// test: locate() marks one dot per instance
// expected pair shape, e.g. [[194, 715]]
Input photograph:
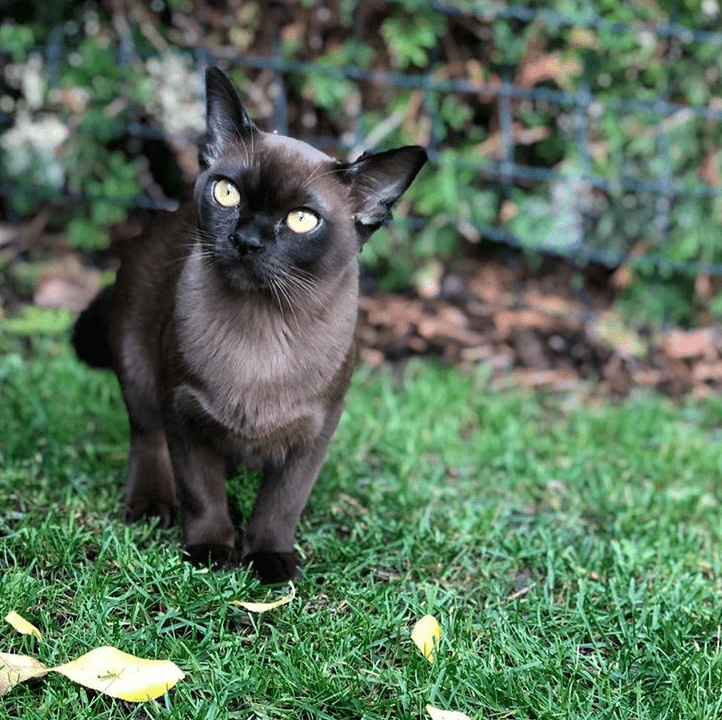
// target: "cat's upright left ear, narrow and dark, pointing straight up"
[[226, 119]]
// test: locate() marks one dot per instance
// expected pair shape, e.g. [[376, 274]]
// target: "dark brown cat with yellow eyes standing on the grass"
[[231, 329]]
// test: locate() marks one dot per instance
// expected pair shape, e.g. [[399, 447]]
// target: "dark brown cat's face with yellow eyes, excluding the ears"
[[274, 214]]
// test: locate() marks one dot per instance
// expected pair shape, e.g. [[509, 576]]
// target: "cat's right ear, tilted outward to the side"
[[377, 181]]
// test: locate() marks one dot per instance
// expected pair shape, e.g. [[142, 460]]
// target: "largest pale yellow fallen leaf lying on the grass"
[[120, 675]]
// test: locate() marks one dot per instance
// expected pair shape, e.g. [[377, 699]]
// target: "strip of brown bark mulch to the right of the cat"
[[535, 331]]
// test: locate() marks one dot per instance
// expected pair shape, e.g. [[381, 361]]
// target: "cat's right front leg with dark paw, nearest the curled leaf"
[[282, 496]]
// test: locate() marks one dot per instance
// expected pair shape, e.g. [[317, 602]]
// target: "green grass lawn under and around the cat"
[[570, 551]]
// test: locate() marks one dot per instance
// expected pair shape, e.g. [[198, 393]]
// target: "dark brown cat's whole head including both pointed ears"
[[275, 213]]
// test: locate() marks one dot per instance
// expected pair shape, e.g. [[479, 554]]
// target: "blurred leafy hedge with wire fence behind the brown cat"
[[589, 131]]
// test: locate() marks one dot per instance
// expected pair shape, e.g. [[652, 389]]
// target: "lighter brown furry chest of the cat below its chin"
[[259, 372]]
